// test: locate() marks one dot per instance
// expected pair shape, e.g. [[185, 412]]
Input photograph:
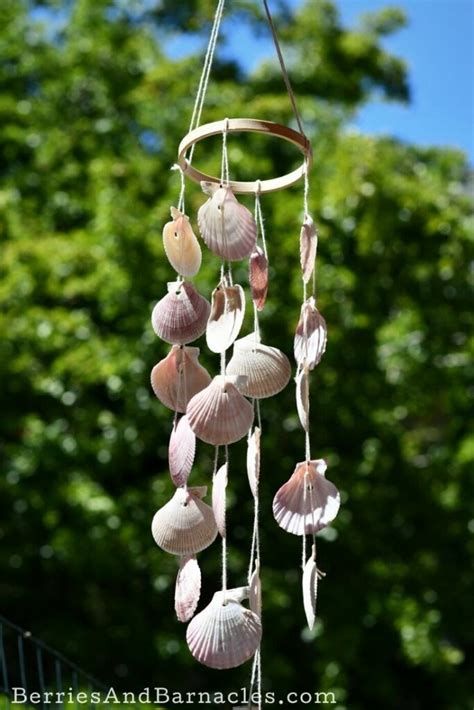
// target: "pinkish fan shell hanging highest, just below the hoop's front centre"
[[227, 227]]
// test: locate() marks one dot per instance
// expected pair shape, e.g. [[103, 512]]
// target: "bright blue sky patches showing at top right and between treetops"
[[438, 46]]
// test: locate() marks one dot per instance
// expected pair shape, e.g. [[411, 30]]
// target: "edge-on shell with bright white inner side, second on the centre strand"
[[226, 318]]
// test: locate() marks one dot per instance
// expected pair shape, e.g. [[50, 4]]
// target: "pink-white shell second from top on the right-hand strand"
[[311, 335]]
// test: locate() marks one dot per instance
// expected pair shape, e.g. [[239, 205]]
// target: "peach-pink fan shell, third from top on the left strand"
[[177, 378]]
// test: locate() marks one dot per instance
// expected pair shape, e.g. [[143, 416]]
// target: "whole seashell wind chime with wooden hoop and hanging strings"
[[226, 408]]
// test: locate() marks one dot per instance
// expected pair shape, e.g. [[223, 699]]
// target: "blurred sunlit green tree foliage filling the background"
[[92, 110]]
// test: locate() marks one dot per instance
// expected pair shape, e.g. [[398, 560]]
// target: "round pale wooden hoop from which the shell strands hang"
[[249, 125]]
